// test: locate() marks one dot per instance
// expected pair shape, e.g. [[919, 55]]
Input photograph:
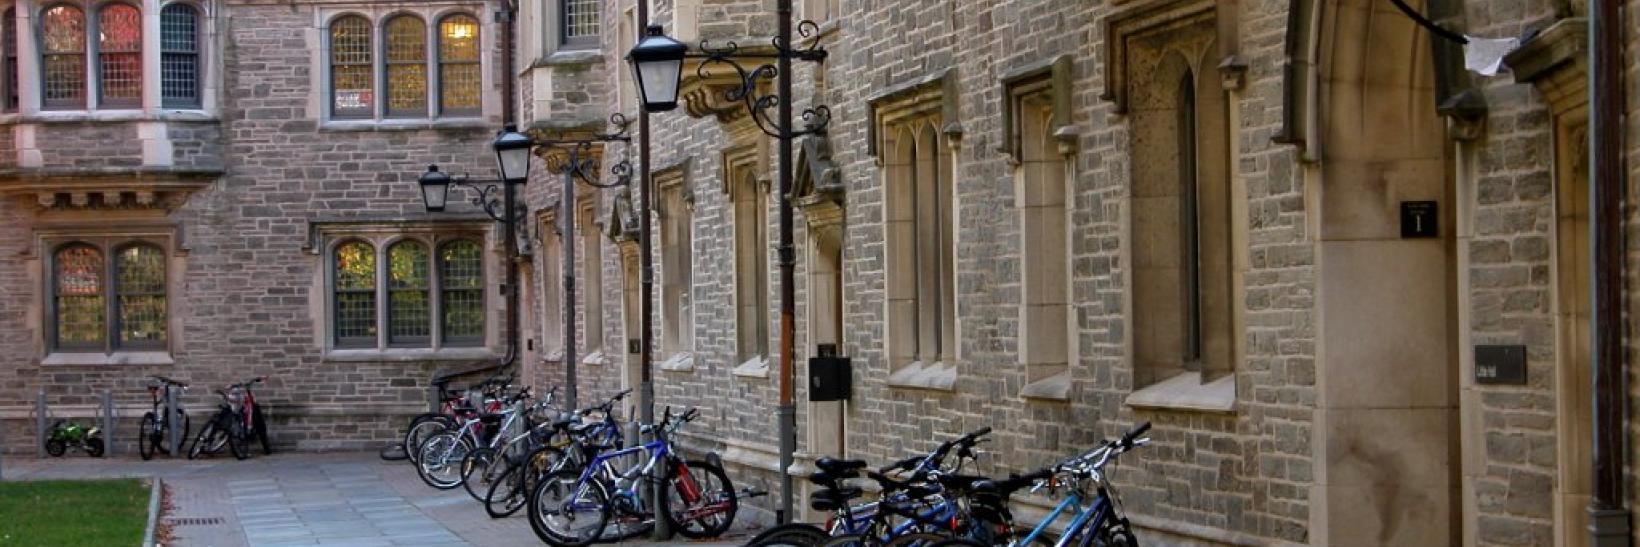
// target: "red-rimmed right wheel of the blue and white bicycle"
[[699, 500]]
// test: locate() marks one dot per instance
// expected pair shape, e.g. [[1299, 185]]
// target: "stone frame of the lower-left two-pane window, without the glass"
[[109, 248]]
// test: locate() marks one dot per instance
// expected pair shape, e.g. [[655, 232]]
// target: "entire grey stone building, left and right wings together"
[[1055, 219]]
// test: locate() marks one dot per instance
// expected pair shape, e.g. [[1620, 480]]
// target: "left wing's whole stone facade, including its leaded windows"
[[196, 227]]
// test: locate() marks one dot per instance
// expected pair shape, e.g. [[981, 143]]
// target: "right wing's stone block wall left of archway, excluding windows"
[[1244, 474]]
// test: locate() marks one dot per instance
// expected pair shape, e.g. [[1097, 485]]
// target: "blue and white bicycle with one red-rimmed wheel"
[[575, 509]]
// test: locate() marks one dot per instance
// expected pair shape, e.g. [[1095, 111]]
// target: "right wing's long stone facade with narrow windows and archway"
[[1059, 219]]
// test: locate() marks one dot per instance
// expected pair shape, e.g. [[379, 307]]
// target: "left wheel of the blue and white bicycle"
[[568, 513]]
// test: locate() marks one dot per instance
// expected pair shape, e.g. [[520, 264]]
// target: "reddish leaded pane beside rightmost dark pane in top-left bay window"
[[121, 55]]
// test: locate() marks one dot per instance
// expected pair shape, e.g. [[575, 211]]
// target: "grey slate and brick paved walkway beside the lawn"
[[350, 499]]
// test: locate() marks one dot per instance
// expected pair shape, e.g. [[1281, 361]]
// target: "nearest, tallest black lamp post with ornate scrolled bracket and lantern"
[[657, 65]]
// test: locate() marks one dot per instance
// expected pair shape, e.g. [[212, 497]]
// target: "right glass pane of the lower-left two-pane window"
[[140, 296]]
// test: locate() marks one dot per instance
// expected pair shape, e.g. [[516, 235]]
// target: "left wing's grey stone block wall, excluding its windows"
[[248, 296]]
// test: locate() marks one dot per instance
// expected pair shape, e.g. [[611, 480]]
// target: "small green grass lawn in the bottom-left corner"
[[73, 513]]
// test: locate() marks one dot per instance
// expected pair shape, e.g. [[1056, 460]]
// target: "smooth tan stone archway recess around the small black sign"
[[1387, 373]]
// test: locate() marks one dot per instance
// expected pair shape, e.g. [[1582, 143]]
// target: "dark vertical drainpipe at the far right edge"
[[1608, 517]]
